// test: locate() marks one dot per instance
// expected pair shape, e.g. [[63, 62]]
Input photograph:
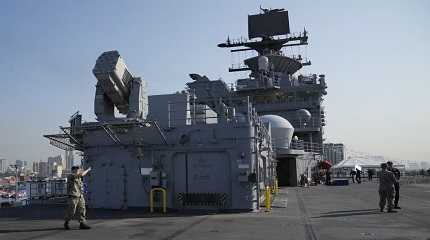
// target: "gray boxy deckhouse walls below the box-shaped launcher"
[[198, 160]]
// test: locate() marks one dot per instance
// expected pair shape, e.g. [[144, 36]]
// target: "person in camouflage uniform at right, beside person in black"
[[386, 188]]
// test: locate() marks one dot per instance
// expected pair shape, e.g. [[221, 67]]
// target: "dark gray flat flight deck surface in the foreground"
[[317, 212]]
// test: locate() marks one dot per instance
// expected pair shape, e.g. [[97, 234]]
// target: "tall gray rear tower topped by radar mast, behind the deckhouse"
[[275, 88]]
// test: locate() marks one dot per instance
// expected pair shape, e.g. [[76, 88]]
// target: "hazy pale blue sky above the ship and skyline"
[[375, 55]]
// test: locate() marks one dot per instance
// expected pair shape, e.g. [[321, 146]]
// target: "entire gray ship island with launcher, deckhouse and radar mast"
[[210, 146]]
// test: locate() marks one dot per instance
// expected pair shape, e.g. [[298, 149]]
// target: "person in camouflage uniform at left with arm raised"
[[76, 201]]
